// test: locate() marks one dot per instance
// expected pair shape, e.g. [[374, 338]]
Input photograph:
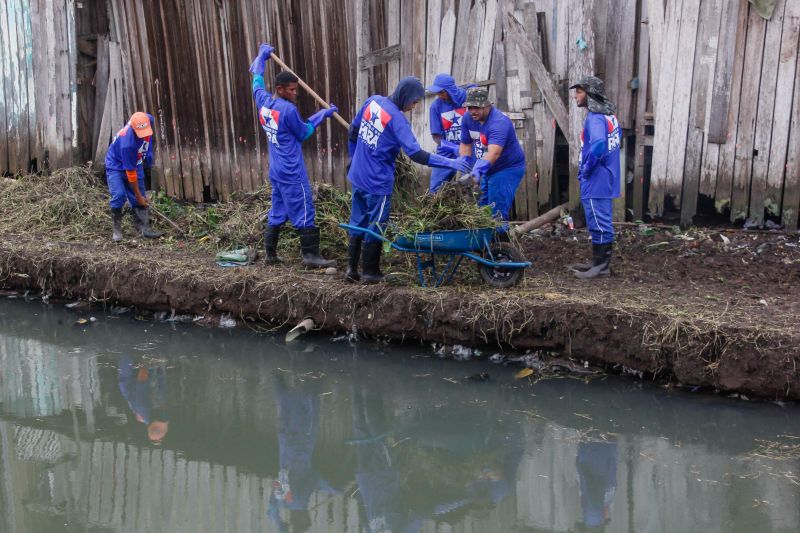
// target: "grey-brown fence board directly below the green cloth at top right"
[[745, 137]]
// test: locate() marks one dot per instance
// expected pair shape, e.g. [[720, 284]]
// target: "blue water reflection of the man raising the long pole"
[[298, 428]]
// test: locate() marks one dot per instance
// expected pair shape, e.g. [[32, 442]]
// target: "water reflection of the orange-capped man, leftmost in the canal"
[[143, 385]]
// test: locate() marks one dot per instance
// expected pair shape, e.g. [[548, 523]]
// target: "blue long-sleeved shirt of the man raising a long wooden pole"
[[285, 130]]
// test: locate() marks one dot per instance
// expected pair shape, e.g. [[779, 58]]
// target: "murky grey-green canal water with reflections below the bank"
[[121, 425]]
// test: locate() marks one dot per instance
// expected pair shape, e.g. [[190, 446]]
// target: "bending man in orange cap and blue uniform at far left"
[[129, 158]]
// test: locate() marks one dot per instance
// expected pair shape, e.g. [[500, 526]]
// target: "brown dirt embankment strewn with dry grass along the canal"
[[689, 308]]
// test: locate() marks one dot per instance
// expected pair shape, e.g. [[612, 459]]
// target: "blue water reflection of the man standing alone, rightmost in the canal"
[[597, 480]]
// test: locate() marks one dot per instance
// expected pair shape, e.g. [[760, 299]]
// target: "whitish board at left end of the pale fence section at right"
[[664, 102]]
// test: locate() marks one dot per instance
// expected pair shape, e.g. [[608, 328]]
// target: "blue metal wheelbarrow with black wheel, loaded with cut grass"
[[500, 264]]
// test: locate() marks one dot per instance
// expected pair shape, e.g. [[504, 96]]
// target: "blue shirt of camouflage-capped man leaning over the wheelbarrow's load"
[[498, 129]]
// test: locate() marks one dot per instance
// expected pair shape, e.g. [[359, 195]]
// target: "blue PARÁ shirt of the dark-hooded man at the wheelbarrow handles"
[[382, 131]]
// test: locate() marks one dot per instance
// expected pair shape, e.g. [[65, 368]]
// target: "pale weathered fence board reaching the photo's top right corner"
[[787, 64]]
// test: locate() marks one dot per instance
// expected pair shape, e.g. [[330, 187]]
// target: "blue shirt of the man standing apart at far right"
[[599, 175]]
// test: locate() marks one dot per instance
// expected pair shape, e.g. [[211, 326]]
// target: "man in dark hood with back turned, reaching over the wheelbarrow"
[[377, 134]]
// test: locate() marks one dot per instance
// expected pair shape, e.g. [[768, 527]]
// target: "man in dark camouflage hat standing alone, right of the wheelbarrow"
[[598, 173]]
